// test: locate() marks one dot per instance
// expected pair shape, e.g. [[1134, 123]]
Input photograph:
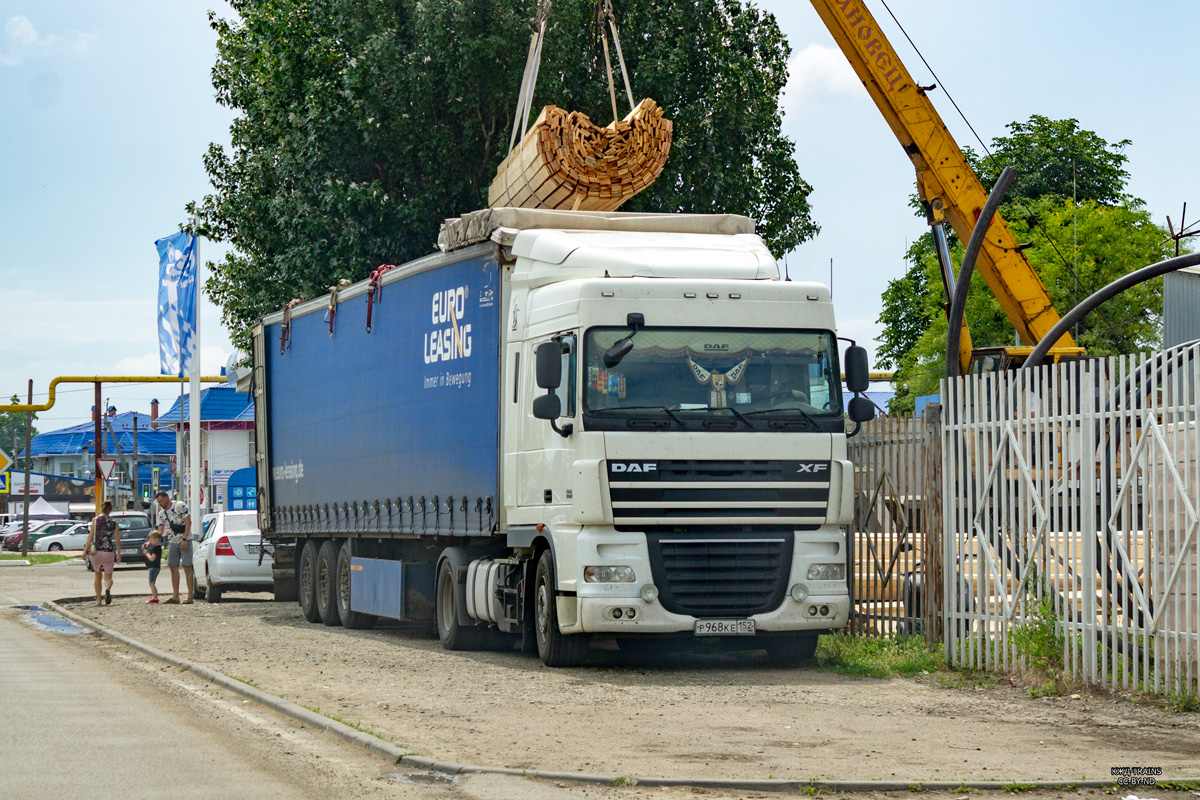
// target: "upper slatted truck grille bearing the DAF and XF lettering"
[[718, 496]]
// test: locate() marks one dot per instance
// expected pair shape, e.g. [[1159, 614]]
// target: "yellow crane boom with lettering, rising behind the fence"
[[945, 181]]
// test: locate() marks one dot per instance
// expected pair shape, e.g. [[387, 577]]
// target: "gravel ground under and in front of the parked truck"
[[685, 715]]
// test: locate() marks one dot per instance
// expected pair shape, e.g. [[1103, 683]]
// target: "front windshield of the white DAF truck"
[[713, 378]]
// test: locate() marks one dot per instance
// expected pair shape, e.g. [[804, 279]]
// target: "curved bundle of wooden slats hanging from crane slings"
[[567, 163]]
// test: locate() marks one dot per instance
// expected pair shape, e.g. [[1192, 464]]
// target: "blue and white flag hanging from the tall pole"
[[178, 304]]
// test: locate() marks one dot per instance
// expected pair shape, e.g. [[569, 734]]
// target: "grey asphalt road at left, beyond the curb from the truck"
[[85, 718]]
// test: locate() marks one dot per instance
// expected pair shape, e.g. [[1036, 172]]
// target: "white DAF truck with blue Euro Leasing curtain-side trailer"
[[565, 425]]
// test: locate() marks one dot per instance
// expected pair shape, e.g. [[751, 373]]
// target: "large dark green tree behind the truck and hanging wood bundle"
[[364, 124]]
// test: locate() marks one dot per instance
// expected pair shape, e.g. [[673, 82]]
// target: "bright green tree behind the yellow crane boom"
[[1055, 161]]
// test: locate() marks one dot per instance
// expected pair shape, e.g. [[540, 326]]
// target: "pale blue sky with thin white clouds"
[[109, 109]]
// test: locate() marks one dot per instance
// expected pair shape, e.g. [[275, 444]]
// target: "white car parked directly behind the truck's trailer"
[[227, 557]]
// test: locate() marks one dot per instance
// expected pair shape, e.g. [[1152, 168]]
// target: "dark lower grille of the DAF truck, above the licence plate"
[[717, 575]]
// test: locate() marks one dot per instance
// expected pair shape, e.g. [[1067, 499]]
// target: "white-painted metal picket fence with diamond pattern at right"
[[1070, 507]]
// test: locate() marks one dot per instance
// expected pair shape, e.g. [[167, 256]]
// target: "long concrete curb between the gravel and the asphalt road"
[[398, 755]]
